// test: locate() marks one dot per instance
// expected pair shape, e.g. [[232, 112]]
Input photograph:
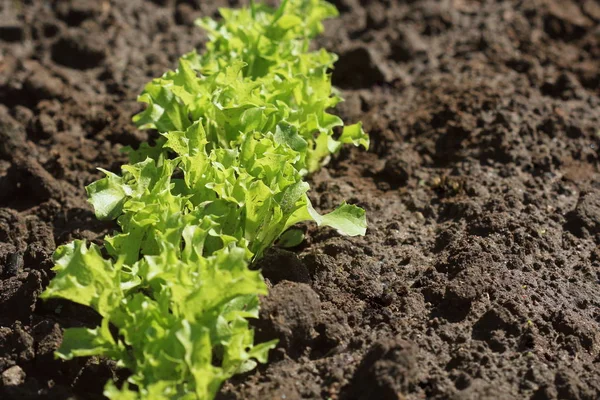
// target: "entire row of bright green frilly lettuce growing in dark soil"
[[240, 127]]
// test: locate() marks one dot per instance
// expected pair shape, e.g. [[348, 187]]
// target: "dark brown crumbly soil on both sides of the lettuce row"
[[479, 276]]
